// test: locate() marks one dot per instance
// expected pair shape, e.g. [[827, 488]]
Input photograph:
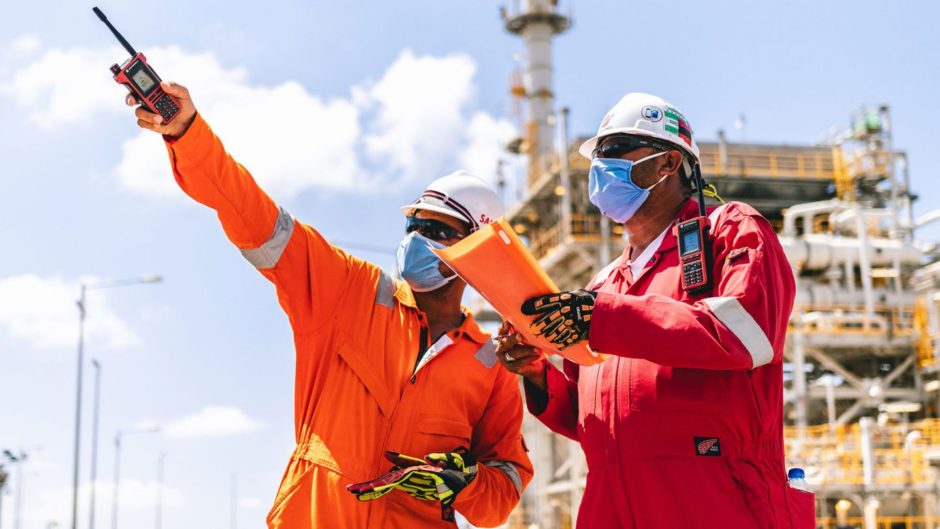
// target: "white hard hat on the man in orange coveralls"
[[461, 195]]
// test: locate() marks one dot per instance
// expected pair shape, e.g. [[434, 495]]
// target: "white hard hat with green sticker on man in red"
[[645, 115]]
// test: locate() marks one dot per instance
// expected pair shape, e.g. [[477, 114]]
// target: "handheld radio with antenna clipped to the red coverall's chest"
[[695, 253]]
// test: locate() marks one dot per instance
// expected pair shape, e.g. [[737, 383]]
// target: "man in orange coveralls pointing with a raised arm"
[[382, 365]]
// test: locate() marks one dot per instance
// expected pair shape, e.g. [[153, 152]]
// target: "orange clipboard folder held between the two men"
[[497, 264]]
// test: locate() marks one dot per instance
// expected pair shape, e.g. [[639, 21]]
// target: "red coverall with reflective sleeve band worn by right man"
[[682, 426]]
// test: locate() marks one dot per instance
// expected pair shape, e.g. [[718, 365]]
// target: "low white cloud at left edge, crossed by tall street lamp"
[[43, 312]]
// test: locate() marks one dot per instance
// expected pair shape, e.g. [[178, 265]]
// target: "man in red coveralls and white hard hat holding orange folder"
[[682, 425]]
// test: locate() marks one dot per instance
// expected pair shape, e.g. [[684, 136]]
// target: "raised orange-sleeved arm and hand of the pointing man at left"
[[282, 249]]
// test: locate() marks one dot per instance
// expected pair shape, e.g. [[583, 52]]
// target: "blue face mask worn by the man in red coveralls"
[[611, 187]]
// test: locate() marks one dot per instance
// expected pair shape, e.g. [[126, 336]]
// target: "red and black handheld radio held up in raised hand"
[[140, 79]]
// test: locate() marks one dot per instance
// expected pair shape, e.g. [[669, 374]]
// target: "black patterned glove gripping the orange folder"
[[563, 318]]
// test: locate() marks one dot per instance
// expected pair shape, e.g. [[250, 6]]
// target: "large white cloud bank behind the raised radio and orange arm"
[[413, 124]]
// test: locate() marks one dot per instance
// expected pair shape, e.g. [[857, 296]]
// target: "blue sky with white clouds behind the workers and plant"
[[343, 110]]
